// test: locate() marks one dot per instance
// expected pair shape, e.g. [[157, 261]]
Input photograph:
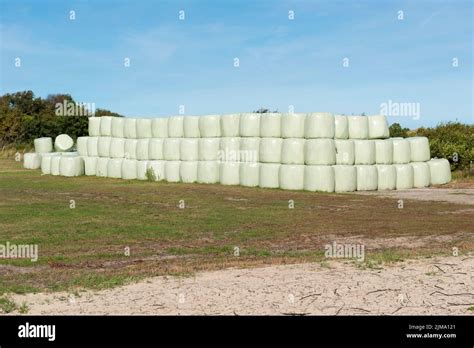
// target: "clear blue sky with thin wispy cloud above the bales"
[[283, 62]]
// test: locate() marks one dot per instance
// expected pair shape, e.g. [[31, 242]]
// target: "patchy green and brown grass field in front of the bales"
[[85, 246]]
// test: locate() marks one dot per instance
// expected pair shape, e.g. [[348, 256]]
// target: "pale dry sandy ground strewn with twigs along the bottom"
[[440, 285]]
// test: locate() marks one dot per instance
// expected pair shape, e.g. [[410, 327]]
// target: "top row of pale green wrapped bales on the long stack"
[[264, 125]]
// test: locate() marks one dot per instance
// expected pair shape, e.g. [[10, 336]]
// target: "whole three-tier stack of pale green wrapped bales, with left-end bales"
[[293, 151]]
